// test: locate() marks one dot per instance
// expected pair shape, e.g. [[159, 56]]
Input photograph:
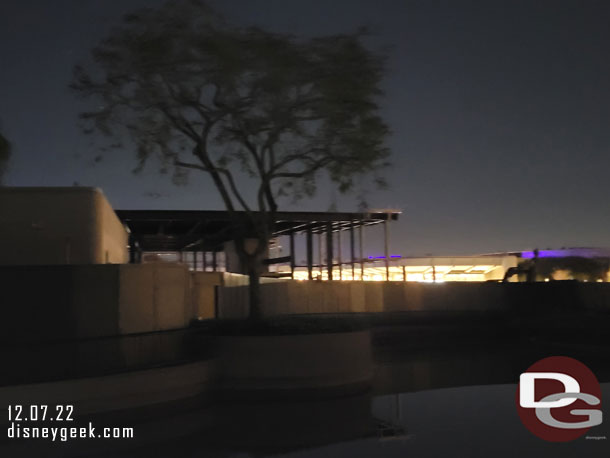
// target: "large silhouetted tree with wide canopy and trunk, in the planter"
[[200, 94]]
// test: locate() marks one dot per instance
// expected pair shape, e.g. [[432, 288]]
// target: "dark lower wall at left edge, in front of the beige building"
[[62, 302]]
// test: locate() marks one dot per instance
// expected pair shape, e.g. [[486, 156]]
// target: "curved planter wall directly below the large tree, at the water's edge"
[[333, 361]]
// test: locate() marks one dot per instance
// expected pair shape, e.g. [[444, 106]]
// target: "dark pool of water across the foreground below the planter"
[[448, 400]]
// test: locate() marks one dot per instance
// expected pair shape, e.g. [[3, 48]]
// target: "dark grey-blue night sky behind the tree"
[[500, 113]]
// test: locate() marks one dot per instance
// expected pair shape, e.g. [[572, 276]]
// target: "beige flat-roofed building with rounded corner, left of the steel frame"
[[44, 226]]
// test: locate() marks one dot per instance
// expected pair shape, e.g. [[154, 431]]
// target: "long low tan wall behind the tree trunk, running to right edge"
[[342, 297]]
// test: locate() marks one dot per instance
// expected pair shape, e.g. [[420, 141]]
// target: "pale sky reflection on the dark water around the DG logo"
[[477, 421]]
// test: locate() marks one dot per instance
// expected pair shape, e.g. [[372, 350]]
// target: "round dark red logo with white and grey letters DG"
[[559, 399]]
